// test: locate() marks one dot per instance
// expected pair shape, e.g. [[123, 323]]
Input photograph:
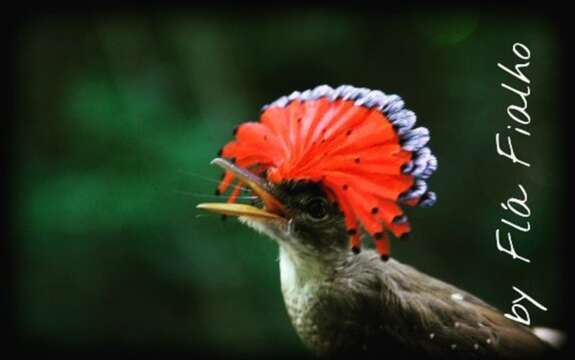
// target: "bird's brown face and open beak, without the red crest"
[[297, 214]]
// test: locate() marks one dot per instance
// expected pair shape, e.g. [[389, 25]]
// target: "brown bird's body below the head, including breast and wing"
[[362, 306]]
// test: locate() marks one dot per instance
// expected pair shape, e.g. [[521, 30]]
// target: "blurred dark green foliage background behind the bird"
[[119, 116]]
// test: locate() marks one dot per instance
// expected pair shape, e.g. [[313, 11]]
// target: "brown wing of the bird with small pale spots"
[[452, 321]]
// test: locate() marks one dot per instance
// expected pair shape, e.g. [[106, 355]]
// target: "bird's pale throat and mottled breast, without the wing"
[[321, 297]]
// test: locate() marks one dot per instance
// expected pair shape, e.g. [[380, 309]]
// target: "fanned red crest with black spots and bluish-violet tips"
[[359, 144]]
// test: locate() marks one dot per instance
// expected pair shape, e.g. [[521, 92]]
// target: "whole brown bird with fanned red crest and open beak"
[[332, 169]]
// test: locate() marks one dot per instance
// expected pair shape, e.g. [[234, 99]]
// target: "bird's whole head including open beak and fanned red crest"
[[329, 167]]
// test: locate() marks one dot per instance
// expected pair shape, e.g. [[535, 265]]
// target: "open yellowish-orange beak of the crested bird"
[[273, 209]]
